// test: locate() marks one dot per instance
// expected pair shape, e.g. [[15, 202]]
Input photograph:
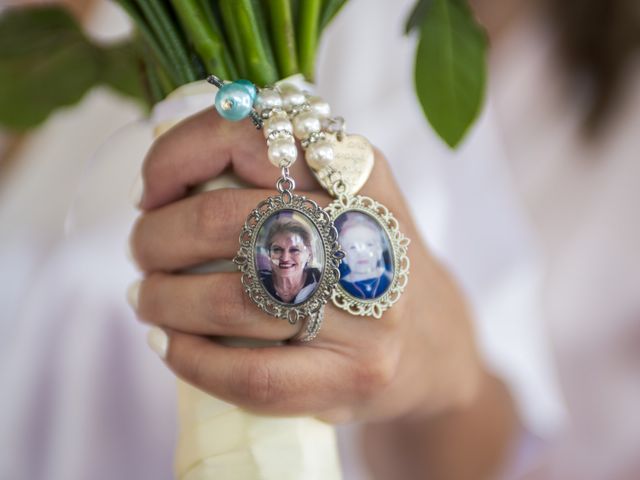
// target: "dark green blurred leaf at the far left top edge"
[[46, 62]]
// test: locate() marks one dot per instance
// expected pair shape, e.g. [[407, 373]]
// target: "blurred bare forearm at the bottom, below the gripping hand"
[[470, 442]]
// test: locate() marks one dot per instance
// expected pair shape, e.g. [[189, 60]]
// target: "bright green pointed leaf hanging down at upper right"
[[450, 71]]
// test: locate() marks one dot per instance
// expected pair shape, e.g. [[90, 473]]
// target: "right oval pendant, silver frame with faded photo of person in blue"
[[387, 250]]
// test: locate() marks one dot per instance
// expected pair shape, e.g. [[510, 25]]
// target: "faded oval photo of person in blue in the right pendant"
[[367, 268]]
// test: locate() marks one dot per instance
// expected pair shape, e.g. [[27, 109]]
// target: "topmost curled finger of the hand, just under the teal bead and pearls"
[[202, 147]]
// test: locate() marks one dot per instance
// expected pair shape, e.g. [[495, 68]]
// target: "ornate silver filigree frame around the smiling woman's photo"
[[311, 308]]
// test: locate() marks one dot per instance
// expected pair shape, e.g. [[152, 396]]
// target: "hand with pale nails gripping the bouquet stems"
[[417, 360]]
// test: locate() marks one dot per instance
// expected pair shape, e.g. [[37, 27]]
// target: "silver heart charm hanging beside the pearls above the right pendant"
[[352, 164]]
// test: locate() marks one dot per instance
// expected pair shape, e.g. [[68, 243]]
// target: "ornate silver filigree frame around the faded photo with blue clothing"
[[399, 246]]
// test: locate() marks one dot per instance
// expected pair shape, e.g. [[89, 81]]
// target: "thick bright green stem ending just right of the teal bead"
[[255, 46]]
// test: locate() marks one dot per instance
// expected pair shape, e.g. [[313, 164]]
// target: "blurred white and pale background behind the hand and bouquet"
[[536, 214]]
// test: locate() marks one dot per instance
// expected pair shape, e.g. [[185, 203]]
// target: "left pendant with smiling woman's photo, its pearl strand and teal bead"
[[289, 254]]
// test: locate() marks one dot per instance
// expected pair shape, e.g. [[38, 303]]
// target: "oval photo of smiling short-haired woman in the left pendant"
[[289, 257]]
